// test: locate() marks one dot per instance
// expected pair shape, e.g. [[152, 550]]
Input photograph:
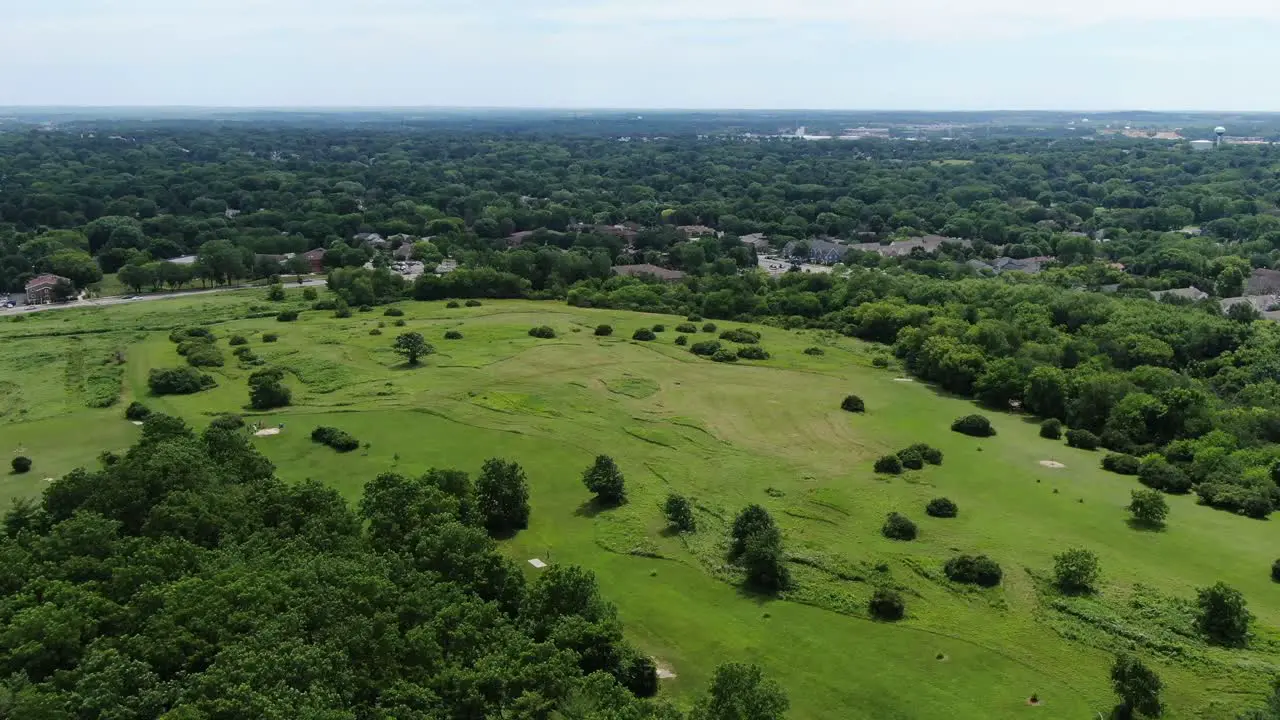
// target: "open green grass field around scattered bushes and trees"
[[769, 432]]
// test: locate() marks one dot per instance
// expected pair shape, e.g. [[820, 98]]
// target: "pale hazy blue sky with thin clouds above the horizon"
[[856, 54]]
